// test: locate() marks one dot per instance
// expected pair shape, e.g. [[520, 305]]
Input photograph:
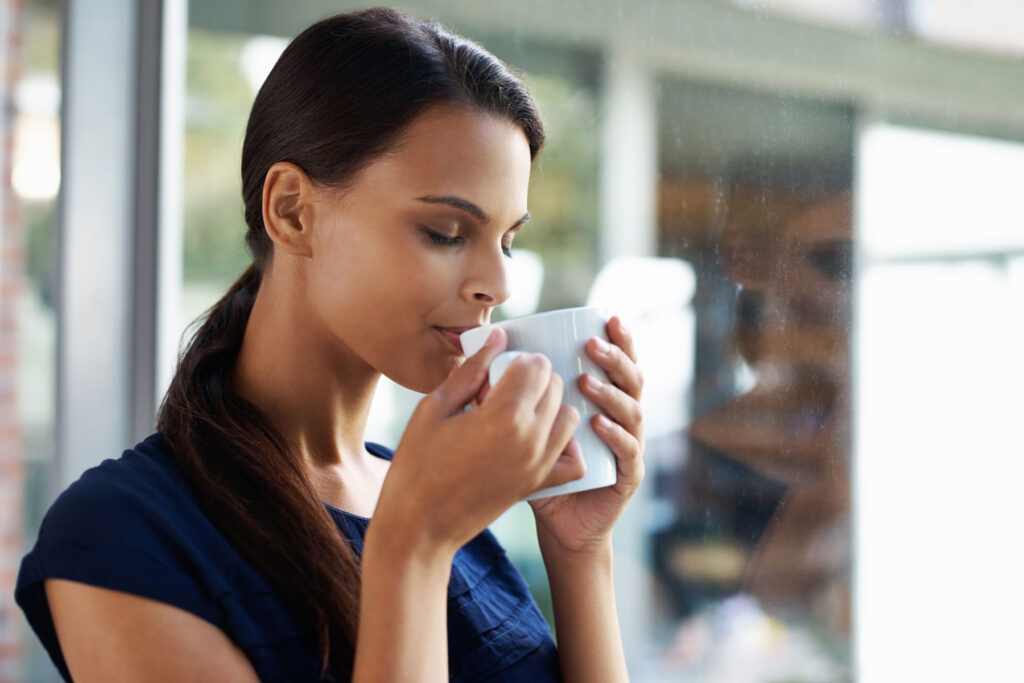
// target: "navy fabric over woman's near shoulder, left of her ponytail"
[[134, 526]]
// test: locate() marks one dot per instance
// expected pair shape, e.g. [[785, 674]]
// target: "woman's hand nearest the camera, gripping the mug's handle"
[[455, 472]]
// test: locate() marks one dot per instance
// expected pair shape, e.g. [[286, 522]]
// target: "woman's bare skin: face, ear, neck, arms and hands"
[[358, 289]]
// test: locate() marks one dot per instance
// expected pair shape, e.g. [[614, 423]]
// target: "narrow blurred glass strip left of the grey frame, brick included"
[[30, 61]]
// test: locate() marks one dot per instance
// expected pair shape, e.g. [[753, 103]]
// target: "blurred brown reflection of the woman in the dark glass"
[[794, 423]]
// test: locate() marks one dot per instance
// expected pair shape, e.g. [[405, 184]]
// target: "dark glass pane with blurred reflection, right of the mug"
[[754, 547]]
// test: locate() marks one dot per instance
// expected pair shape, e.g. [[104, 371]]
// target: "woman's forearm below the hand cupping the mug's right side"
[[590, 647]]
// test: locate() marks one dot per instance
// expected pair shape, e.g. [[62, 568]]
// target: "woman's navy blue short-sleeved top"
[[133, 525]]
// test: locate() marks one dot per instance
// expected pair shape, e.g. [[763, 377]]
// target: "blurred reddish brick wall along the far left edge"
[[12, 278]]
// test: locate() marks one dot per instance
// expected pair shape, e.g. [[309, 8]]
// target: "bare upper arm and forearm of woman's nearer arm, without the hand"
[[112, 636]]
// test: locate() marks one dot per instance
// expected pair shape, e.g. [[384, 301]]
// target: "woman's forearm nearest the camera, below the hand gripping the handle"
[[403, 612]]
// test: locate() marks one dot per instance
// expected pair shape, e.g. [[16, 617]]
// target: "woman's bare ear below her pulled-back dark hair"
[[288, 194]]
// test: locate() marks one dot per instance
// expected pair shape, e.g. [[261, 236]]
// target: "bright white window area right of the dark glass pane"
[[938, 440]]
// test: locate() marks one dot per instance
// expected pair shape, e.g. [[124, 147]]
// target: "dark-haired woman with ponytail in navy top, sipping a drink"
[[386, 170]]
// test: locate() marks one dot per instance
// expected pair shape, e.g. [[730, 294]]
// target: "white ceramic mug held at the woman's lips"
[[562, 336]]
